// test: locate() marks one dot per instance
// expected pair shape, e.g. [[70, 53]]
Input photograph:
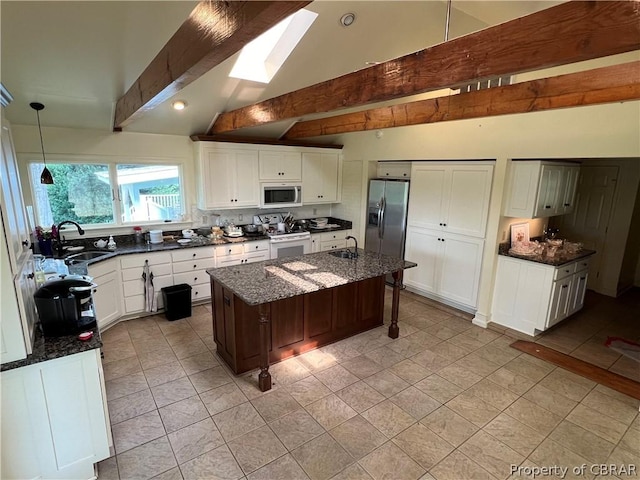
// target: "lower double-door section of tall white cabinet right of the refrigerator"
[[448, 265]]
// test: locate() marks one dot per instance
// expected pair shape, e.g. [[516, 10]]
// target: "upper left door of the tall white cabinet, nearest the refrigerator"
[[426, 196]]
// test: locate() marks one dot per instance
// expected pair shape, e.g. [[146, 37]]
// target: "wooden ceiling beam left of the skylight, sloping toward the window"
[[214, 31]]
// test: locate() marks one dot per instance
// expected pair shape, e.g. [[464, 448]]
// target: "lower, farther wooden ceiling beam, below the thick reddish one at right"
[[616, 83]]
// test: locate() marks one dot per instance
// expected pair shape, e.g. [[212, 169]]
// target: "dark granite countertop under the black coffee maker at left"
[[50, 348]]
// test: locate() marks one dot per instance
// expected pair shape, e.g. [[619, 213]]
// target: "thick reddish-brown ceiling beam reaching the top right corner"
[[567, 33]]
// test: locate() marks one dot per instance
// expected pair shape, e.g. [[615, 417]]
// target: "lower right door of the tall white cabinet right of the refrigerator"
[[459, 269]]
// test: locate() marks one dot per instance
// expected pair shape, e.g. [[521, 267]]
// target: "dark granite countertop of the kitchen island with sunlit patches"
[[271, 280]]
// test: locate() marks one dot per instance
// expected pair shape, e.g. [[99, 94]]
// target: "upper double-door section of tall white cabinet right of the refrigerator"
[[452, 198]]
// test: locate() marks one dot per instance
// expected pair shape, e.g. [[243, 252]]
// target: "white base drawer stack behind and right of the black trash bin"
[[190, 267]]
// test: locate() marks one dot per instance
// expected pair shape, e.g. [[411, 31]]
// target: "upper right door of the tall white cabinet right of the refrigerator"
[[467, 200]]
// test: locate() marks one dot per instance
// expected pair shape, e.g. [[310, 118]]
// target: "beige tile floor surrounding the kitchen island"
[[446, 400]]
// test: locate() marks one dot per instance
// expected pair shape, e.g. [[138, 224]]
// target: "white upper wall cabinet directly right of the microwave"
[[321, 175]]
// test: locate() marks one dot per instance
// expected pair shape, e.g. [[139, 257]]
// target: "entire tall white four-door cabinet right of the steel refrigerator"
[[446, 226]]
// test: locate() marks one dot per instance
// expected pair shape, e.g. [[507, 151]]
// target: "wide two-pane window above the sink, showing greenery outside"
[[107, 194]]
